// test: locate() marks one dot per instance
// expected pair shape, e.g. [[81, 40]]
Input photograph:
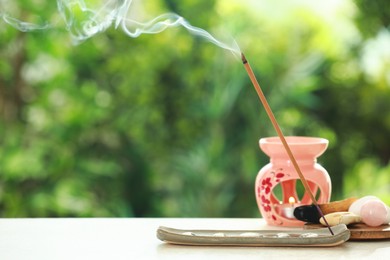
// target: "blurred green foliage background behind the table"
[[168, 124]]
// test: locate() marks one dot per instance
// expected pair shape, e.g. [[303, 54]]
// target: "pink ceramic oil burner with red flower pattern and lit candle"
[[280, 176]]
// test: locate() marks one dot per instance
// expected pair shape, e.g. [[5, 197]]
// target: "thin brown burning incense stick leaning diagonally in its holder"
[[281, 136]]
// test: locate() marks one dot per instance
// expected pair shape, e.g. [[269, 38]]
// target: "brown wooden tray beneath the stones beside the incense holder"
[[362, 231]]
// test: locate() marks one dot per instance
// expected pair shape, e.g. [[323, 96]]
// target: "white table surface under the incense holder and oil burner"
[[135, 238]]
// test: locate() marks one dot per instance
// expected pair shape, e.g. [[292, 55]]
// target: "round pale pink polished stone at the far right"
[[373, 213]]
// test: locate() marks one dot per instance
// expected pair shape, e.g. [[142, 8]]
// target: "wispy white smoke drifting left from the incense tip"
[[83, 21]]
